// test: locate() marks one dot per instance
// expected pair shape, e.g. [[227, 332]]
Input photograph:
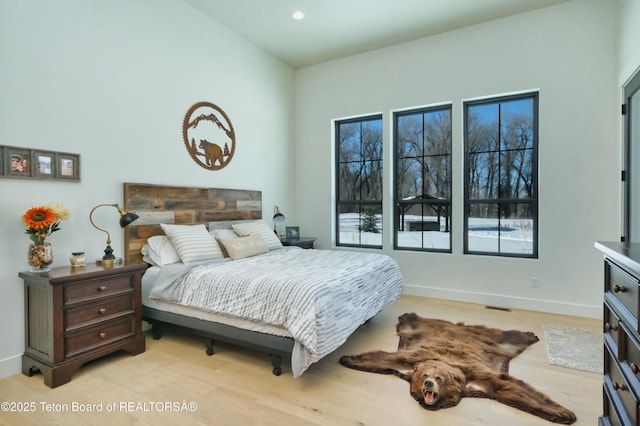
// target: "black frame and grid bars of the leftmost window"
[[359, 205]]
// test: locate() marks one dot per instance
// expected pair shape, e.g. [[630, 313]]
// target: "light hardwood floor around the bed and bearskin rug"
[[236, 387]]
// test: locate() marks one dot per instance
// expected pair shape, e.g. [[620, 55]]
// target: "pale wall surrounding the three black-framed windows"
[[567, 52]]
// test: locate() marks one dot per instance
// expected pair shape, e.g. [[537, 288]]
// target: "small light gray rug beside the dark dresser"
[[575, 347]]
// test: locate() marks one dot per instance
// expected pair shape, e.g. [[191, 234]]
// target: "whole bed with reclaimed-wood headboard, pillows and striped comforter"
[[285, 301]]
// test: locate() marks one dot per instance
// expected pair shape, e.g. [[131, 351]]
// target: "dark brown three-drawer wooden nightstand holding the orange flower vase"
[[74, 315]]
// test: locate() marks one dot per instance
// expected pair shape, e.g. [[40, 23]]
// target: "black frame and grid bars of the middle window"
[[438, 205]]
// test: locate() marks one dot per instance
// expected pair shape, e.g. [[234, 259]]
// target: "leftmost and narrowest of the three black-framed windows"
[[359, 182]]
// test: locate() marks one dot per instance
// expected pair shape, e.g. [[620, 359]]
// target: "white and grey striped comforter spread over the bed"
[[319, 296]]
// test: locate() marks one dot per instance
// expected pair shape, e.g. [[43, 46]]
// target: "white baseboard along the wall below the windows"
[[584, 311]]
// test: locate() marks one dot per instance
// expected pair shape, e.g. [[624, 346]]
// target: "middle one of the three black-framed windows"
[[422, 141]]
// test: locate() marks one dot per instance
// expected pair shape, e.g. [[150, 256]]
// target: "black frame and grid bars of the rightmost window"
[[533, 201]]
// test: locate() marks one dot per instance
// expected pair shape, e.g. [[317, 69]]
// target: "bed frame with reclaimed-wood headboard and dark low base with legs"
[[215, 208]]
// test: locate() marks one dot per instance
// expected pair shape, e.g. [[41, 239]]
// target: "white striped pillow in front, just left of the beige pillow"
[[193, 243]]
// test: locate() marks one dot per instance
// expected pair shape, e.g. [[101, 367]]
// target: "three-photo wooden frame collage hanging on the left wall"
[[29, 163]]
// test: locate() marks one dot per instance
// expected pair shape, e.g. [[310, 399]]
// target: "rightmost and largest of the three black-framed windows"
[[501, 188]]
